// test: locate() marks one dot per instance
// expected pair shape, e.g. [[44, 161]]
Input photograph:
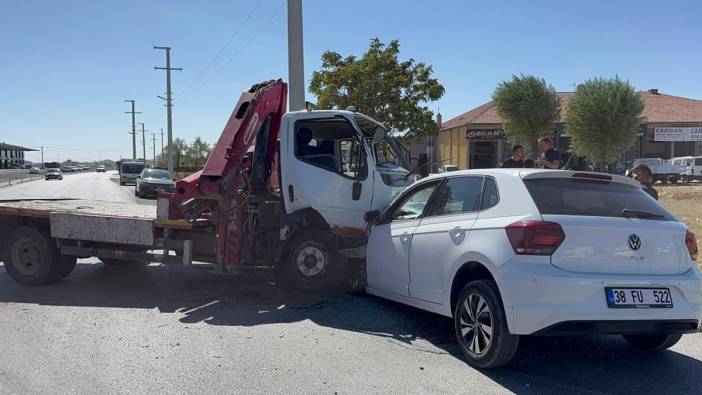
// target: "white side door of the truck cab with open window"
[[324, 166]]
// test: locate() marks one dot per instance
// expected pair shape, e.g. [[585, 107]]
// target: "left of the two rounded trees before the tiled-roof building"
[[529, 107]]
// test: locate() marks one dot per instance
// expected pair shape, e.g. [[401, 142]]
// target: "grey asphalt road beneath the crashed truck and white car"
[[143, 329]]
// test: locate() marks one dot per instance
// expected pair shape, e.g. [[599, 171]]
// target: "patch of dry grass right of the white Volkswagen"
[[685, 201]]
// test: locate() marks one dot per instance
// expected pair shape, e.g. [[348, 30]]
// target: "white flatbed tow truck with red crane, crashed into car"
[[287, 191]]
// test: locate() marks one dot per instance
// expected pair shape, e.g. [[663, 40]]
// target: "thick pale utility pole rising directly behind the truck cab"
[[296, 64]]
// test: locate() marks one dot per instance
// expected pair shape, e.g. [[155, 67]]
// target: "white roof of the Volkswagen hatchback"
[[527, 174]]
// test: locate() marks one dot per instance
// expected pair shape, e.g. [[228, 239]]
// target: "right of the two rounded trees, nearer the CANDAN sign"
[[603, 118]]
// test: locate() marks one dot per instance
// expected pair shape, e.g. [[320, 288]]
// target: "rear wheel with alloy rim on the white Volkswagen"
[[481, 326]]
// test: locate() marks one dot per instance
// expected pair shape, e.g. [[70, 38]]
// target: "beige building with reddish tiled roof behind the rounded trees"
[[476, 139]]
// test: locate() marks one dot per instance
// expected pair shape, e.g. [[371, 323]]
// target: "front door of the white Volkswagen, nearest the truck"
[[387, 256]]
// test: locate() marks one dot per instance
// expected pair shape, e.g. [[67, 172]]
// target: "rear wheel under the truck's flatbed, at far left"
[[32, 258]]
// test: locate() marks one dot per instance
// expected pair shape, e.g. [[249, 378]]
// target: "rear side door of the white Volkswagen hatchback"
[[439, 236]]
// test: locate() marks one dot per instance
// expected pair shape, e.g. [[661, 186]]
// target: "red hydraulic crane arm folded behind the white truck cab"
[[261, 106]]
